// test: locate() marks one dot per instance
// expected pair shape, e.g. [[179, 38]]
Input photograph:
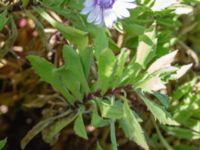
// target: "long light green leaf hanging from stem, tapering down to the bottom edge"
[[131, 126]]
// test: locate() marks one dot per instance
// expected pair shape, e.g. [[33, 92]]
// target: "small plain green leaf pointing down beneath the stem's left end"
[[79, 127]]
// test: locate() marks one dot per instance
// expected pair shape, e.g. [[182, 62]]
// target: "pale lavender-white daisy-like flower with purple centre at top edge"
[[106, 12]]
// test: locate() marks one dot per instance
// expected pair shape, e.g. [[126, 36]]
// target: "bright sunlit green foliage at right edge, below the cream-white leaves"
[[186, 112]]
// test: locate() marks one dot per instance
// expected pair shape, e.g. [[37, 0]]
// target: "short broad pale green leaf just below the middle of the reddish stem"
[[110, 111]]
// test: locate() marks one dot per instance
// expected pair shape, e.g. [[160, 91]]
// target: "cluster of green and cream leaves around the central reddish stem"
[[113, 71]]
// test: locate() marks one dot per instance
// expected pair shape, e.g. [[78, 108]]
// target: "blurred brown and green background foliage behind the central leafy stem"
[[43, 27]]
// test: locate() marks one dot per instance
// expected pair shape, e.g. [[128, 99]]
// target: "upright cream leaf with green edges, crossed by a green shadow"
[[147, 47]]
